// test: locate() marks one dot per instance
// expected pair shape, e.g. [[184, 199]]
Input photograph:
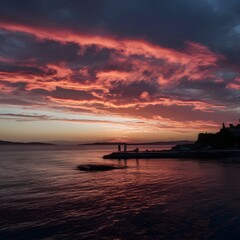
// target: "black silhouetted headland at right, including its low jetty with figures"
[[225, 143]]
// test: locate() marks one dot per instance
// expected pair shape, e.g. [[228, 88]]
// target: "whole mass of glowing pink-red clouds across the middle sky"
[[160, 67]]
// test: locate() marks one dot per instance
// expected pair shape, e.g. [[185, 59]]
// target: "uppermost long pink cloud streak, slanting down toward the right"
[[195, 53]]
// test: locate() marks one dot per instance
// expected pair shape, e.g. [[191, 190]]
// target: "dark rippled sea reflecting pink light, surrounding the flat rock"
[[43, 196]]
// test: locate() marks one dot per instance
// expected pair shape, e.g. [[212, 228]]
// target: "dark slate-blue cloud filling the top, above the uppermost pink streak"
[[211, 22]]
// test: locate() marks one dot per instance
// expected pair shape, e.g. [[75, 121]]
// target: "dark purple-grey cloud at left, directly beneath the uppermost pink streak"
[[22, 48]]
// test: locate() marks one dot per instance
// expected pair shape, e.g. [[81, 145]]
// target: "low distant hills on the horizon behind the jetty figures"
[[142, 143]]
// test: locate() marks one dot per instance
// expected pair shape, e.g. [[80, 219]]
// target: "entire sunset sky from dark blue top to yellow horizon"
[[118, 70]]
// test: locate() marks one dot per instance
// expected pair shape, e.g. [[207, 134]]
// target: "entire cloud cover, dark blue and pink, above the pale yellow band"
[[134, 52]]
